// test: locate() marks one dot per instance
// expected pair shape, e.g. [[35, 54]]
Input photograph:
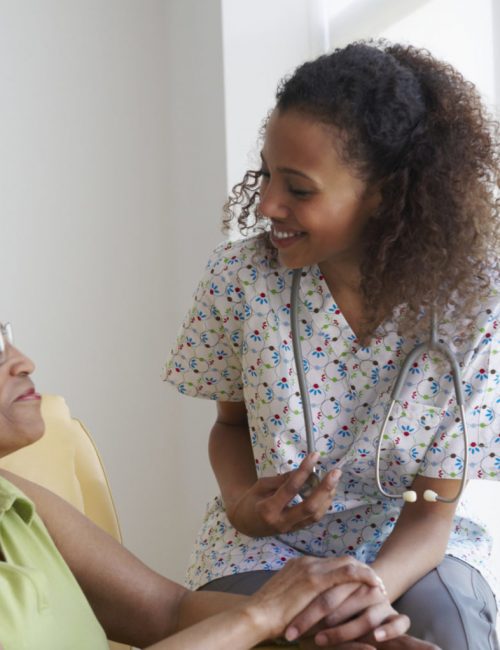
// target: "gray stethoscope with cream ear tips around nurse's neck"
[[432, 344]]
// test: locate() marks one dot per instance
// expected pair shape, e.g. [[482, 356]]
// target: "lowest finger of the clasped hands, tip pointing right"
[[380, 618]]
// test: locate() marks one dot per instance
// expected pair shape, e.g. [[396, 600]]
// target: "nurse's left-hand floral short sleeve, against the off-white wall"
[[206, 361]]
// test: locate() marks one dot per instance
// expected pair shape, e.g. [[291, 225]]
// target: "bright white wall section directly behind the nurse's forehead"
[[264, 40]]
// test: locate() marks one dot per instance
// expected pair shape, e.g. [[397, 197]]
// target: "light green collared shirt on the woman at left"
[[41, 604]]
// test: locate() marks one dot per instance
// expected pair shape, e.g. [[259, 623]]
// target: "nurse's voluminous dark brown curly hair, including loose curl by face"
[[417, 129]]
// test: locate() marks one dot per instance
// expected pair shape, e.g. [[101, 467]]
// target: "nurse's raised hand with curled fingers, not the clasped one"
[[264, 509]]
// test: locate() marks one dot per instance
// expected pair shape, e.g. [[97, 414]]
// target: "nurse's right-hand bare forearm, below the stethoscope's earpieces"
[[419, 539]]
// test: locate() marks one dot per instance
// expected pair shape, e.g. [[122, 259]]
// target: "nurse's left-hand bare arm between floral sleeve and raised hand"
[[232, 460]]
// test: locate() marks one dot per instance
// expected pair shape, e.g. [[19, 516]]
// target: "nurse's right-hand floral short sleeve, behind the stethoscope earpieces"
[[481, 384]]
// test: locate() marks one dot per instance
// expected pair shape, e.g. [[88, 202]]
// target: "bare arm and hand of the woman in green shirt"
[[137, 606]]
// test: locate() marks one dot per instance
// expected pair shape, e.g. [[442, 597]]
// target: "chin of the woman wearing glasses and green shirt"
[[21, 426]]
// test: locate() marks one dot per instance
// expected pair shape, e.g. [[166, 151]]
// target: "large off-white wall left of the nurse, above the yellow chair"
[[112, 173]]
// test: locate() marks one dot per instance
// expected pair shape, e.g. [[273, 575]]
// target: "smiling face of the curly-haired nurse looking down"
[[317, 205]]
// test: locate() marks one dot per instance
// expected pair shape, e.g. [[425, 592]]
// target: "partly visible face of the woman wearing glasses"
[[20, 418]]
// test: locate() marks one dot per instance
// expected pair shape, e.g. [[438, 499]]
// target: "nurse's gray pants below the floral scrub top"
[[452, 606]]
